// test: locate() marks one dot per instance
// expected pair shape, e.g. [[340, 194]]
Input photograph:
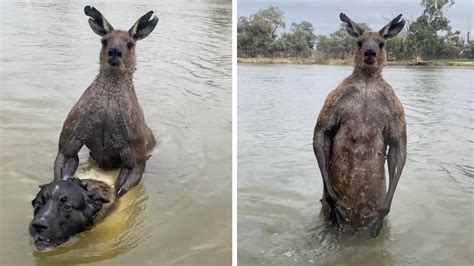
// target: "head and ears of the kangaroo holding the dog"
[[118, 47]]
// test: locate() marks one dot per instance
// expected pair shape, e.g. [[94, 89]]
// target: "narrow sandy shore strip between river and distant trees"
[[321, 61]]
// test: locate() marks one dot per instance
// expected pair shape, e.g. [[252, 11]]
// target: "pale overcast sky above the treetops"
[[324, 14]]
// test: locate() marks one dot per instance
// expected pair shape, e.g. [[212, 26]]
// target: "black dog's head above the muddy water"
[[61, 210]]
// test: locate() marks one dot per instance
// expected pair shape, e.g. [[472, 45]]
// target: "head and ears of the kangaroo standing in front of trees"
[[370, 55]]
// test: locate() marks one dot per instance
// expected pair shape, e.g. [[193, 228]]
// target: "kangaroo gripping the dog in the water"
[[108, 119]]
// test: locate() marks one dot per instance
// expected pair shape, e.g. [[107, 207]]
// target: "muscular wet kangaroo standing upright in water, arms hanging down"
[[360, 120]]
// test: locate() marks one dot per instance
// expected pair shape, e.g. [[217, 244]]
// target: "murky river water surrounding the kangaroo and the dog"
[[181, 212]]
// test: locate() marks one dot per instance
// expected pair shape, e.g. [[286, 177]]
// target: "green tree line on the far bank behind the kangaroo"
[[429, 36]]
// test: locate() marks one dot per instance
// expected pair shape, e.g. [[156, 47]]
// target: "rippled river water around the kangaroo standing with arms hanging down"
[[279, 183]]
